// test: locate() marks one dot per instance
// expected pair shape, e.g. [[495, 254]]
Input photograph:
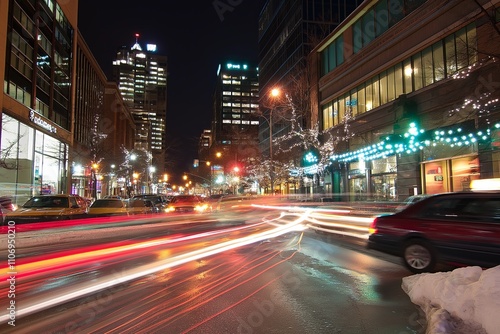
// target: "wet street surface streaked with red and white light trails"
[[268, 275]]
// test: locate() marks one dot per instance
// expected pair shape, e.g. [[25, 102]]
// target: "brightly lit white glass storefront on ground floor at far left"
[[32, 162]]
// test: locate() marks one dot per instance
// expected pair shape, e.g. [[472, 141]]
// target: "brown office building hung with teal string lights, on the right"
[[410, 95]]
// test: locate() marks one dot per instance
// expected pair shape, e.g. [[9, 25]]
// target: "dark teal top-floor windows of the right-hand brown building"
[[372, 24]]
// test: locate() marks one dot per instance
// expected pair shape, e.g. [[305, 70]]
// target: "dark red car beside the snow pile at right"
[[460, 228]]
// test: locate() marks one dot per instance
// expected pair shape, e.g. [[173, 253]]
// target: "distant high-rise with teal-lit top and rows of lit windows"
[[236, 102]]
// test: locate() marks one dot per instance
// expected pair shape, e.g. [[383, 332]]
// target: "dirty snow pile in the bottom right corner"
[[465, 300]]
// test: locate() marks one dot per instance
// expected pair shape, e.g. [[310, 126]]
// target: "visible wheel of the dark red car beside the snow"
[[419, 256]]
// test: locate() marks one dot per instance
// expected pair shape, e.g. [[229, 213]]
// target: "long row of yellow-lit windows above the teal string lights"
[[436, 62]]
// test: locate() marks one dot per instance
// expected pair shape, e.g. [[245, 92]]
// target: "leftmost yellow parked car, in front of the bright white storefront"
[[42, 208]]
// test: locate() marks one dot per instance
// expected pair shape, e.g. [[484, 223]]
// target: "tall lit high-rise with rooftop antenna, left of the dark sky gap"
[[142, 80]]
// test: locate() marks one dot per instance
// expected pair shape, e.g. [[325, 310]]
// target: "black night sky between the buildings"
[[195, 36]]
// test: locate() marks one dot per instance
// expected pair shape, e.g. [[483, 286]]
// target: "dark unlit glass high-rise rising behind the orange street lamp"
[[288, 30]]
